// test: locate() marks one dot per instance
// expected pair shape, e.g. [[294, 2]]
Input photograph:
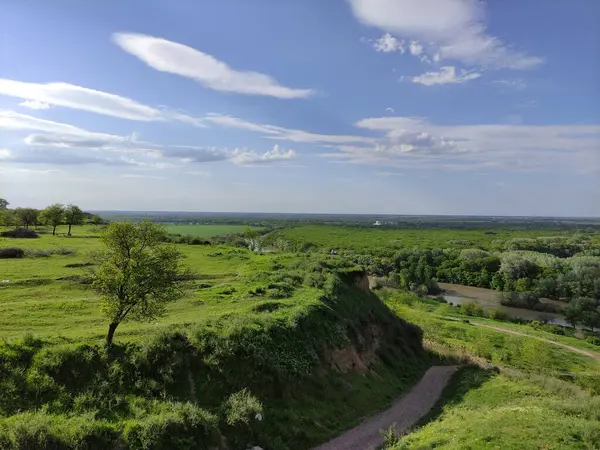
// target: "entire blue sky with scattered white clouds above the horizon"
[[349, 106]]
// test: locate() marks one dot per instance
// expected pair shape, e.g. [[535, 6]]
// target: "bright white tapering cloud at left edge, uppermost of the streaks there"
[[85, 99]]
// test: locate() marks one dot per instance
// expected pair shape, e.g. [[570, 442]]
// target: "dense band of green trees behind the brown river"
[[564, 268]]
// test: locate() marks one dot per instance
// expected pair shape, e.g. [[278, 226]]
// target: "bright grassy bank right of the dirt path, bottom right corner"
[[485, 410]]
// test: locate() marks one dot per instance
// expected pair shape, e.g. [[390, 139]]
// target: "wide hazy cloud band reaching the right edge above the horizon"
[[412, 142]]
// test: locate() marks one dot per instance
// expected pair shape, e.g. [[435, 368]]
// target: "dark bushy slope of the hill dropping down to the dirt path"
[[295, 370]]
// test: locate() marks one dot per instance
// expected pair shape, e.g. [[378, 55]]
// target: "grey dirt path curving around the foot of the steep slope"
[[405, 412]]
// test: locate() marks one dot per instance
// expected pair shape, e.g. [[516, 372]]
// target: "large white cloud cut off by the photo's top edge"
[[453, 29]]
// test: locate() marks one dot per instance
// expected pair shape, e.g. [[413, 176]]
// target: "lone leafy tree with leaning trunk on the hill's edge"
[[138, 275]]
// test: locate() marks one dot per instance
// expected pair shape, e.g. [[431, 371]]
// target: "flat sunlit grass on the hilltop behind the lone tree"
[[67, 309]]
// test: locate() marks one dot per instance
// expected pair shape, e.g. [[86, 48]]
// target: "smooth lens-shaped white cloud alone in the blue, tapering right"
[[179, 59]]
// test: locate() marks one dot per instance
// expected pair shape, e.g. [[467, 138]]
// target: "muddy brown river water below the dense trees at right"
[[488, 299]]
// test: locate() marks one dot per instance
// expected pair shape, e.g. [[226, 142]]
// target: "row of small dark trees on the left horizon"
[[53, 215]]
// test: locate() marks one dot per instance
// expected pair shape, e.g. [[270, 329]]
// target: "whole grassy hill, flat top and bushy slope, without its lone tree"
[[275, 350]]
